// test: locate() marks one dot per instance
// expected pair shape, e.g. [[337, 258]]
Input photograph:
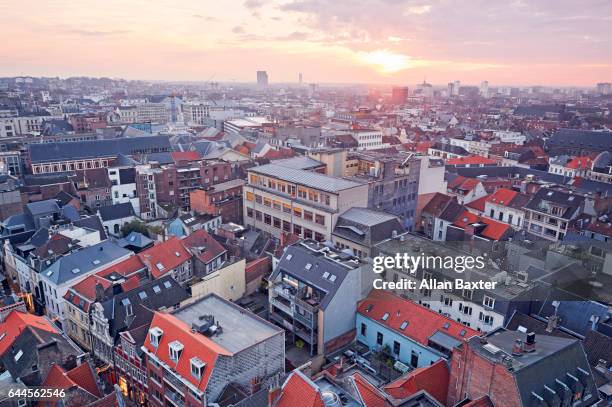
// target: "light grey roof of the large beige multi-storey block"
[[305, 178]]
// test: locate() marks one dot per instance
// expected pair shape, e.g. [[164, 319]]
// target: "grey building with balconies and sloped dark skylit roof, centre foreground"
[[314, 294]]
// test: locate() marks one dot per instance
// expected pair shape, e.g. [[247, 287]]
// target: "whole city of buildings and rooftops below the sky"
[[173, 243]]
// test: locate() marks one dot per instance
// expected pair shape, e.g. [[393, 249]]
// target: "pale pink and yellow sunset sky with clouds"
[[520, 42]]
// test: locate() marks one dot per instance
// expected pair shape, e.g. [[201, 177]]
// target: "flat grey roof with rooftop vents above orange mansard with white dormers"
[[240, 328]]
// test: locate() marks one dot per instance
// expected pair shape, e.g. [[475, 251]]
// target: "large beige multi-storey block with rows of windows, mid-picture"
[[279, 200]]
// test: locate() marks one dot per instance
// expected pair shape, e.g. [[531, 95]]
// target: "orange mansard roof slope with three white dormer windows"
[[195, 345]]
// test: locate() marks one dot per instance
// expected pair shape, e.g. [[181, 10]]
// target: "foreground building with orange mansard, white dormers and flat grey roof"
[[195, 352]]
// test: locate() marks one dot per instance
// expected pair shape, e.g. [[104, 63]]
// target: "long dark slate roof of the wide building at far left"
[[48, 152]]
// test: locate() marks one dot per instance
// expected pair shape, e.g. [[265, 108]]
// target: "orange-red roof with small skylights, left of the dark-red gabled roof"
[[165, 256]]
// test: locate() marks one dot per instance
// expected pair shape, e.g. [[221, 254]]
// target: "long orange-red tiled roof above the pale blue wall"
[[422, 322]]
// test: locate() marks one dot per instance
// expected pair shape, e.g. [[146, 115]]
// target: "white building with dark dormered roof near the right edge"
[[550, 212]]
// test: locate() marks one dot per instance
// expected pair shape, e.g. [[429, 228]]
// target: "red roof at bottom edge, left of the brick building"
[[433, 379]]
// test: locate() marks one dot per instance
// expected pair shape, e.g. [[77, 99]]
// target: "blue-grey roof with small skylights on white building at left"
[[82, 262]]
